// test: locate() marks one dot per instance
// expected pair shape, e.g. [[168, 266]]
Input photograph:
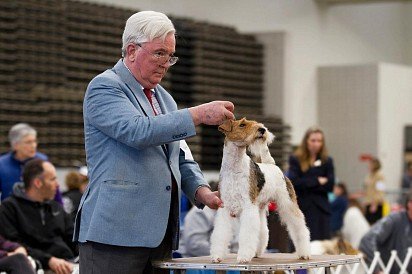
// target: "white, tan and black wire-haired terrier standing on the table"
[[247, 185]]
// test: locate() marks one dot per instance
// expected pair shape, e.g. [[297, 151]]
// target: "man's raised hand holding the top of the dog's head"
[[213, 113]]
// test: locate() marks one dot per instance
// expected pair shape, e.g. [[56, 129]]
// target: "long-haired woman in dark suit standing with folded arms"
[[312, 173]]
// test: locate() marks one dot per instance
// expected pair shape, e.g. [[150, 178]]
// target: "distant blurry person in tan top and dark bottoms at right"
[[374, 195]]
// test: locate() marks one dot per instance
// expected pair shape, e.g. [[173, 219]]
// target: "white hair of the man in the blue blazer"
[[145, 26]]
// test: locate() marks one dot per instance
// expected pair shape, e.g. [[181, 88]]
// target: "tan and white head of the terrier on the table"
[[244, 132]]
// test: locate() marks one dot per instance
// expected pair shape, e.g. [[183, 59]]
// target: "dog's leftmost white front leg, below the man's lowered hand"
[[221, 235]]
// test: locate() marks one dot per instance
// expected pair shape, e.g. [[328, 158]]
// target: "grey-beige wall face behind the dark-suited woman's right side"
[[348, 105]]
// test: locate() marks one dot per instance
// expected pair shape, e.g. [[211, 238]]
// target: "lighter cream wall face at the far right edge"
[[395, 111]]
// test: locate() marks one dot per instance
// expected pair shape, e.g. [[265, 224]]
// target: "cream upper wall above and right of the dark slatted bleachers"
[[315, 35]]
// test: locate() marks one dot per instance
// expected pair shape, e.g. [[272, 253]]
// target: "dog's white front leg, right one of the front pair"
[[249, 233]]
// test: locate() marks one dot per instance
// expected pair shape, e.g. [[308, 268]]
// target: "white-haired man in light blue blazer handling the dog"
[[136, 156]]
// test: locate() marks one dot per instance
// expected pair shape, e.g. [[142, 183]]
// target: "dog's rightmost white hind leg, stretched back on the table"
[[293, 218]]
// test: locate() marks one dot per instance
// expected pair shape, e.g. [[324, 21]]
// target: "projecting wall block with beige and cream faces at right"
[[364, 109]]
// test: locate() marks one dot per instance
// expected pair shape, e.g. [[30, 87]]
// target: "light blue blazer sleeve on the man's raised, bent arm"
[[107, 108]]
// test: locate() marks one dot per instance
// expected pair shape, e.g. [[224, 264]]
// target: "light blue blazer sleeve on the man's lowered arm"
[[192, 176]]
